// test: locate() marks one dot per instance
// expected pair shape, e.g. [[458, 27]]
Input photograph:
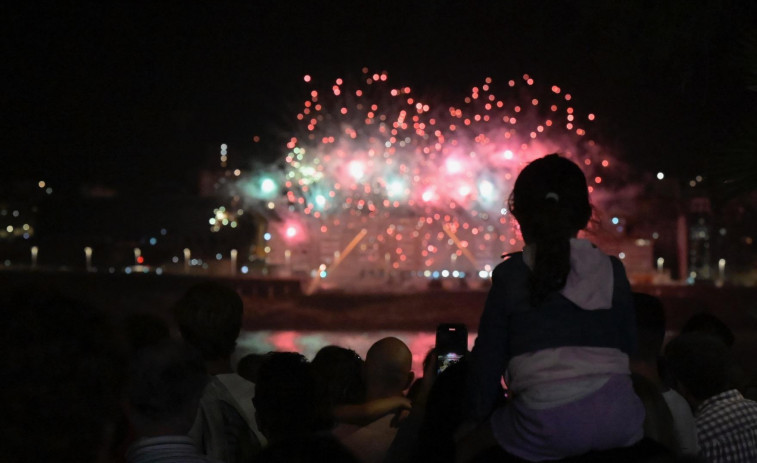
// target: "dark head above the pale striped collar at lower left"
[[165, 387]]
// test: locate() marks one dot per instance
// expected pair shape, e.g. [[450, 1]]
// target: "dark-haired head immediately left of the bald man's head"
[[339, 375]]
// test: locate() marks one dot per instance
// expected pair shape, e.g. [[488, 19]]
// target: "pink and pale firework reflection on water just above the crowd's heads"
[[309, 342]]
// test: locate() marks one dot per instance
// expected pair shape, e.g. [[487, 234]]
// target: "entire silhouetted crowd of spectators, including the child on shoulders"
[[569, 365]]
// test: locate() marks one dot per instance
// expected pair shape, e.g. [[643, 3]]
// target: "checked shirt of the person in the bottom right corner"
[[727, 428]]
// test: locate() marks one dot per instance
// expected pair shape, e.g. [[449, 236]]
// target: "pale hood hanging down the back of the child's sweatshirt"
[[590, 281]]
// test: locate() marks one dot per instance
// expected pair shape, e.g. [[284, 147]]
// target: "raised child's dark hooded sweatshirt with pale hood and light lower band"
[[562, 350]]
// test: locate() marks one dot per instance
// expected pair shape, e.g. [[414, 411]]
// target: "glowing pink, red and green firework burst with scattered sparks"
[[418, 170]]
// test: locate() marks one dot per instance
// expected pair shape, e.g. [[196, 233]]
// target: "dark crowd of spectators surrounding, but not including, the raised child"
[[76, 389]]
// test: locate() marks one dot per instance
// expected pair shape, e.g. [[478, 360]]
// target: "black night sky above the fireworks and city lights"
[[135, 95]]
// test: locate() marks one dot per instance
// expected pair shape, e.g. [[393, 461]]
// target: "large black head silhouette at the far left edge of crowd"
[[61, 379]]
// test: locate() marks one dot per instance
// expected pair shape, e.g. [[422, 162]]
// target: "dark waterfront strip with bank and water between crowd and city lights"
[[278, 315]]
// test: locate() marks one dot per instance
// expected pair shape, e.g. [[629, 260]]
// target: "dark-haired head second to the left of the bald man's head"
[[285, 398]]
